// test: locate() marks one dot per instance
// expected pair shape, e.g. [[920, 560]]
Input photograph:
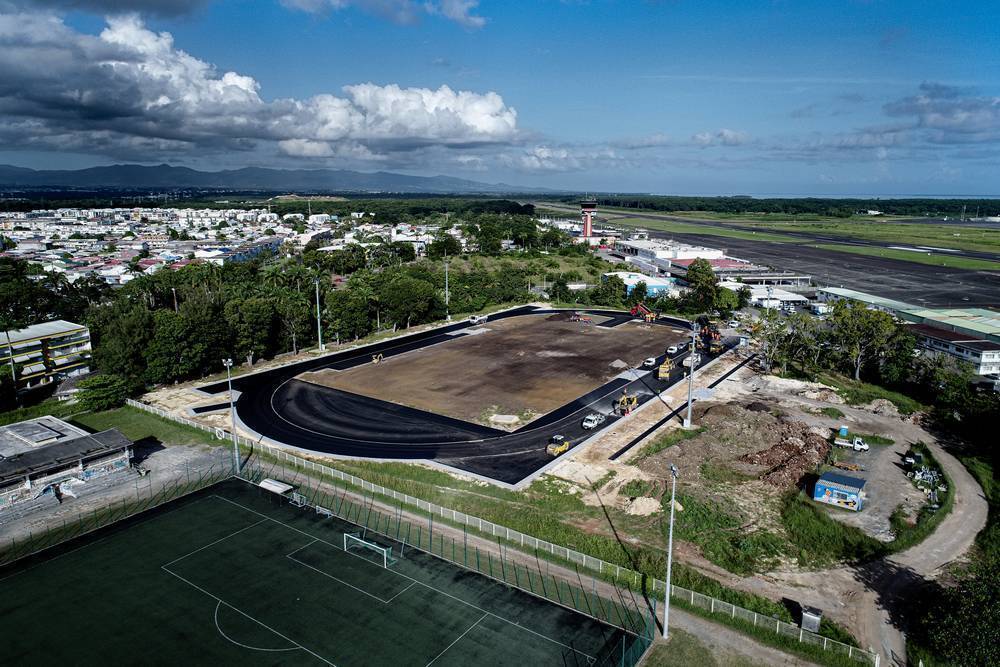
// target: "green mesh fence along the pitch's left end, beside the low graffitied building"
[[146, 496]]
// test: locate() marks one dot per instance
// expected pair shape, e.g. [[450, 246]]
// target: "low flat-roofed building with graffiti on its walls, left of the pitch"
[[48, 458]]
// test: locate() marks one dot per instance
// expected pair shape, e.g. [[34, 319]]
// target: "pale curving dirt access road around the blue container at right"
[[871, 599]]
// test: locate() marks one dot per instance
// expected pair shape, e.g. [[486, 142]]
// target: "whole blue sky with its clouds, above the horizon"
[[677, 97]]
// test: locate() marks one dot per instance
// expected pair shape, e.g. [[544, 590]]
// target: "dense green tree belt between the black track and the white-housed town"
[[177, 325]]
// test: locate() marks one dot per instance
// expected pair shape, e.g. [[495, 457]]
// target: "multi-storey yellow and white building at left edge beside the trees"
[[46, 352]]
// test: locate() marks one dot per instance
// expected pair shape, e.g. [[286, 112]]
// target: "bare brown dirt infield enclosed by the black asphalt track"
[[525, 366]]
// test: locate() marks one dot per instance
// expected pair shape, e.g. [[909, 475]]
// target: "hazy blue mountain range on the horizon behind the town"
[[165, 176]]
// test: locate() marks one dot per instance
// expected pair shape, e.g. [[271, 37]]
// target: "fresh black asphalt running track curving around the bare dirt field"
[[283, 410]]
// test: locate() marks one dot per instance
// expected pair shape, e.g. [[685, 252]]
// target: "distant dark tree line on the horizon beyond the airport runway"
[[805, 206]]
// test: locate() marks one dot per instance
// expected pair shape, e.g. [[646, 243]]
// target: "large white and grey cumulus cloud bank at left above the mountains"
[[131, 87]]
